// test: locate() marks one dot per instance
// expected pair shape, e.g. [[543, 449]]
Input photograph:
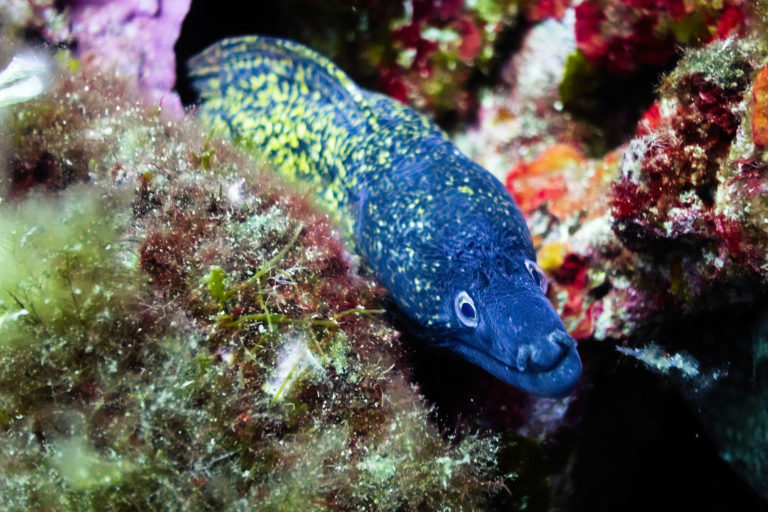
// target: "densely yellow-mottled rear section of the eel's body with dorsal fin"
[[288, 103]]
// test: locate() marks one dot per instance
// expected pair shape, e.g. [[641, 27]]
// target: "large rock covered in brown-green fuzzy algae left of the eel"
[[180, 332]]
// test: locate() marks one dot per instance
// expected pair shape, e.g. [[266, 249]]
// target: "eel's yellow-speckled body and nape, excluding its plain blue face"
[[400, 186]]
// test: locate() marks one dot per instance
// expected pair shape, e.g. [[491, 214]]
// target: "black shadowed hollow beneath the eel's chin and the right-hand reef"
[[635, 438]]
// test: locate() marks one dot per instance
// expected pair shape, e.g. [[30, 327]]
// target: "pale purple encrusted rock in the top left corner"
[[132, 37]]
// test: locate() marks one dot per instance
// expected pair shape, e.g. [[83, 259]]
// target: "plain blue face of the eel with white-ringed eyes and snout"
[[504, 323]]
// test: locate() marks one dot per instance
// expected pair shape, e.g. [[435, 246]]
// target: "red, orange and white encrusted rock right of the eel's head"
[[655, 225]]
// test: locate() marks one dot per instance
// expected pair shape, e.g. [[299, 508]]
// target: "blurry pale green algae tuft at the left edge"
[[64, 292]]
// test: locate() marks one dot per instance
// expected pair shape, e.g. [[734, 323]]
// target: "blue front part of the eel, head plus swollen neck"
[[492, 308]]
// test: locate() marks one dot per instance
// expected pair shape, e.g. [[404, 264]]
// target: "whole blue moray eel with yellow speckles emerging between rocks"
[[440, 232]]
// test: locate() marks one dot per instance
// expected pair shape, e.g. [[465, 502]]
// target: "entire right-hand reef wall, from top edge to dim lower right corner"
[[668, 227]]
